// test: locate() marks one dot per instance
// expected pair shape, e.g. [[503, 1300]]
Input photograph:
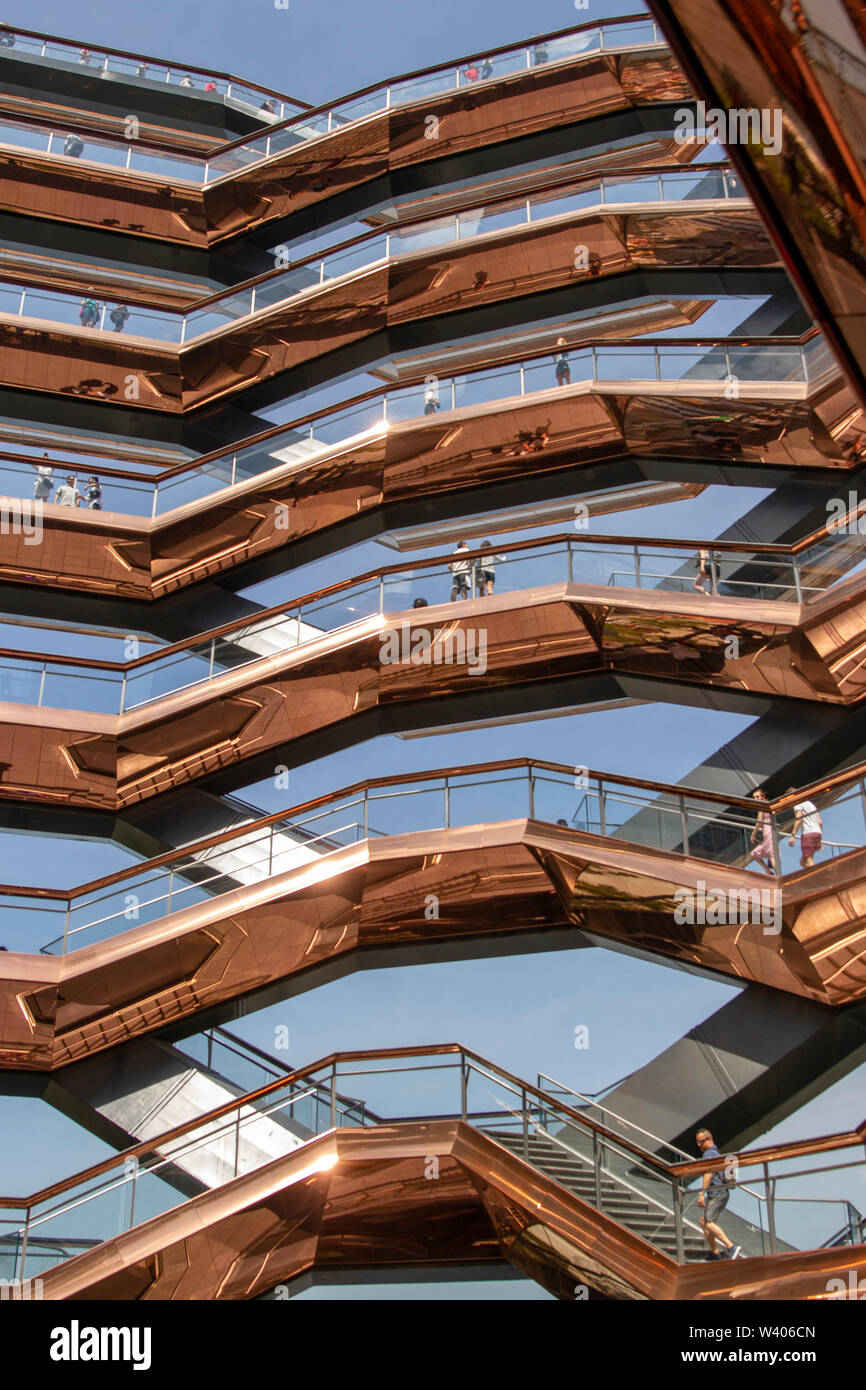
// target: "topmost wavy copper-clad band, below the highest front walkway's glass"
[[188, 215]]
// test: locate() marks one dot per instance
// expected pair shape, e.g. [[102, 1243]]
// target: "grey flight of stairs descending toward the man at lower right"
[[619, 1202]]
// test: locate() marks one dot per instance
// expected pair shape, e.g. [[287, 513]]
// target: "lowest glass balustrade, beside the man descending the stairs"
[[779, 1199]]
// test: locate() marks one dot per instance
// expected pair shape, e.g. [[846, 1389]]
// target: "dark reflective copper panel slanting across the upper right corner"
[[806, 63]]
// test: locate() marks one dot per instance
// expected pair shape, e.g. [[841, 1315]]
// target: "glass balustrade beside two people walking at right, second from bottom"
[[654, 818]]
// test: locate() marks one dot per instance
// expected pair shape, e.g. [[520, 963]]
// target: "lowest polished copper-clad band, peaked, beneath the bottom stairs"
[[355, 1200]]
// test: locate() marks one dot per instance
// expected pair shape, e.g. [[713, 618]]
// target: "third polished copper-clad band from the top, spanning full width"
[[127, 557]]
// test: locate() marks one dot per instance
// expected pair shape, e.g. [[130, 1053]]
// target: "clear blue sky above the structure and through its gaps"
[[523, 1011]]
